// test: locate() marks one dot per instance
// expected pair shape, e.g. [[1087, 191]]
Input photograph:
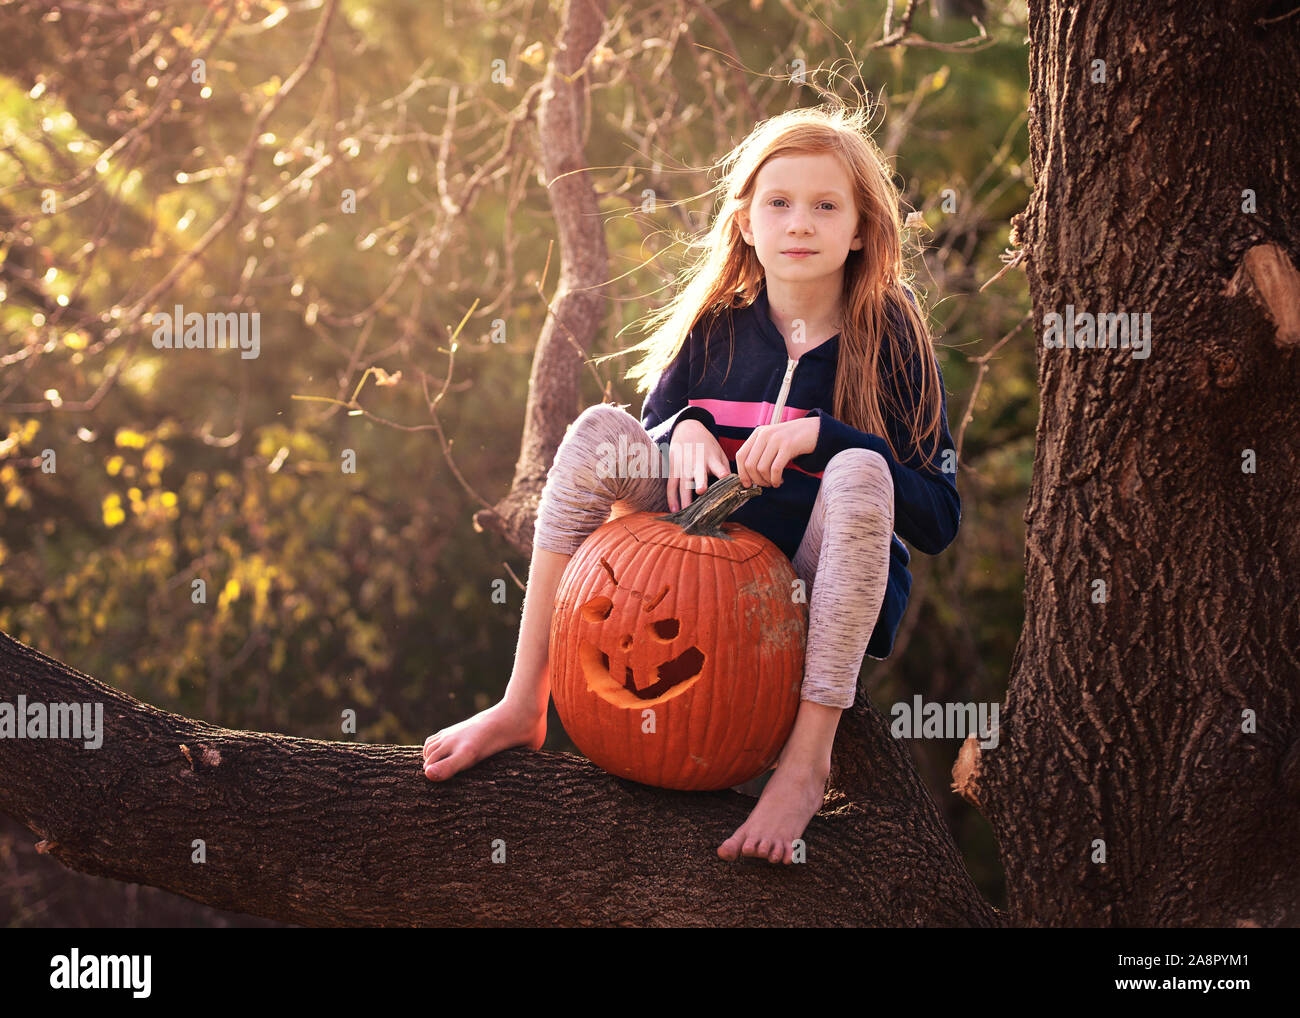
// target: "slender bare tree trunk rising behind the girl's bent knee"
[[578, 306]]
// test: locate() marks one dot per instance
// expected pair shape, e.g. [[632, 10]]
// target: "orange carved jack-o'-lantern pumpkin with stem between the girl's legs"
[[677, 648]]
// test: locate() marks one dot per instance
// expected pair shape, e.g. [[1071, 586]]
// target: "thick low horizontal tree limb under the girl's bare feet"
[[330, 834]]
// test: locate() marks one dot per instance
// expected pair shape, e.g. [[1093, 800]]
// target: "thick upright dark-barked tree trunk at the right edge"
[[1128, 721]]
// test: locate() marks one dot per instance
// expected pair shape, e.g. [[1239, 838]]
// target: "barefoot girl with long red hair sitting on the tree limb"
[[834, 406]]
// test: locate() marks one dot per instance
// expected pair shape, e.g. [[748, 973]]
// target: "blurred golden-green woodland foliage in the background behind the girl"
[[366, 179]]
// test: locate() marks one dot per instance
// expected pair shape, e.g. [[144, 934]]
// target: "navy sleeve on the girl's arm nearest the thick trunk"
[[928, 509]]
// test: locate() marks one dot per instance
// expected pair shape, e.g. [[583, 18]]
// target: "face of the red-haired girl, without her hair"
[[801, 205]]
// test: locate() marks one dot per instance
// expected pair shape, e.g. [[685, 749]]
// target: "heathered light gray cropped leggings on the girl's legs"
[[848, 531]]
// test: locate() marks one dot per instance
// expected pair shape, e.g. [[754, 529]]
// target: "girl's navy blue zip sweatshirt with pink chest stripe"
[[764, 382]]
